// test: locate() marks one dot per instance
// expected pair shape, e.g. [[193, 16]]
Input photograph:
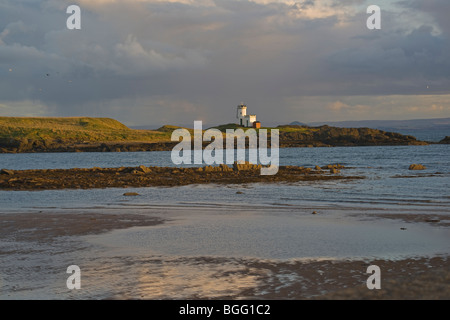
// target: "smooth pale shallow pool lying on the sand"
[[276, 234]]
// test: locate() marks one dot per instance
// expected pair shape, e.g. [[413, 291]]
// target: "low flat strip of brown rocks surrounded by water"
[[143, 176]]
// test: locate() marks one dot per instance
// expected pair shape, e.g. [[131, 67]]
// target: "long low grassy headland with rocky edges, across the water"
[[104, 134]]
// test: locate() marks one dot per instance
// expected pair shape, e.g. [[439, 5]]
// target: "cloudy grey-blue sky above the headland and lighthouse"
[[155, 62]]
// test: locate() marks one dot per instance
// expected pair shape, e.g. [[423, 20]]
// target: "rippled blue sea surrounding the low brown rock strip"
[[388, 183]]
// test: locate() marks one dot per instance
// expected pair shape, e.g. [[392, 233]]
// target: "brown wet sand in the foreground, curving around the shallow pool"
[[43, 236]]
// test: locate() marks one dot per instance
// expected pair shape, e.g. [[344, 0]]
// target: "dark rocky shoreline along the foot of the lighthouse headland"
[[290, 137]]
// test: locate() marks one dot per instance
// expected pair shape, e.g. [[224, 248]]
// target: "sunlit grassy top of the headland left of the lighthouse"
[[74, 129]]
